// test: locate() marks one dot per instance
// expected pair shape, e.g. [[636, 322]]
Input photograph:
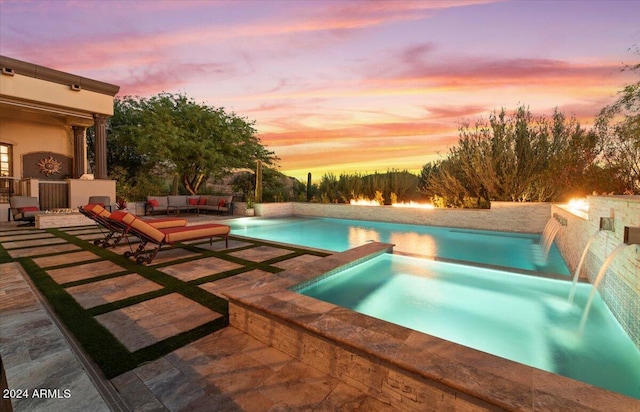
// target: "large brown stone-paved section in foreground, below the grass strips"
[[231, 371]]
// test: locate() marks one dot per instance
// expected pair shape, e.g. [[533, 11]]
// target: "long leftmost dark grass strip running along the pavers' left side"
[[106, 351]]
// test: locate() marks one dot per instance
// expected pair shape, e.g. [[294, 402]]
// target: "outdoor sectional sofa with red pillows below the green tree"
[[175, 204]]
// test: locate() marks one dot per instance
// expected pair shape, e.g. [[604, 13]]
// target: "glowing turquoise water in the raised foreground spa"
[[526, 319]]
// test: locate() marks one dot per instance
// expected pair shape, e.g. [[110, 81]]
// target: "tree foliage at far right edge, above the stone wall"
[[618, 128]]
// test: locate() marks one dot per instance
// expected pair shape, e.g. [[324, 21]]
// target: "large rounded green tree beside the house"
[[171, 133]]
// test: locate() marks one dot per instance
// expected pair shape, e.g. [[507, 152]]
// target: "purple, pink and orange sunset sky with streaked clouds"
[[342, 86]]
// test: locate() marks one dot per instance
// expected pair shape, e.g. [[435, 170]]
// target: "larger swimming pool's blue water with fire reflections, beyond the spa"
[[508, 250]]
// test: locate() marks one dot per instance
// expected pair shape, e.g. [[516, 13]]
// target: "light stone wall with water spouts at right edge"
[[620, 288]]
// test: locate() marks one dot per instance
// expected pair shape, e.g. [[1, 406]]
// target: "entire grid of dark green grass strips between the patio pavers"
[[103, 347]]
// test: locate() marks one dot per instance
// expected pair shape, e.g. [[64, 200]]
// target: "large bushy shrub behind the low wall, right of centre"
[[516, 157]]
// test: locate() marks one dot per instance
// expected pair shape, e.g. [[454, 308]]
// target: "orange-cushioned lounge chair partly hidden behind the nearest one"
[[118, 230]]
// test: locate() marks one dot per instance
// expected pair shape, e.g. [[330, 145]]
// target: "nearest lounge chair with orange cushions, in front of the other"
[[150, 235]]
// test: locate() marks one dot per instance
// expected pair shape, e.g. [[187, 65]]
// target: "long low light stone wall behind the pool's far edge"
[[503, 216]]
